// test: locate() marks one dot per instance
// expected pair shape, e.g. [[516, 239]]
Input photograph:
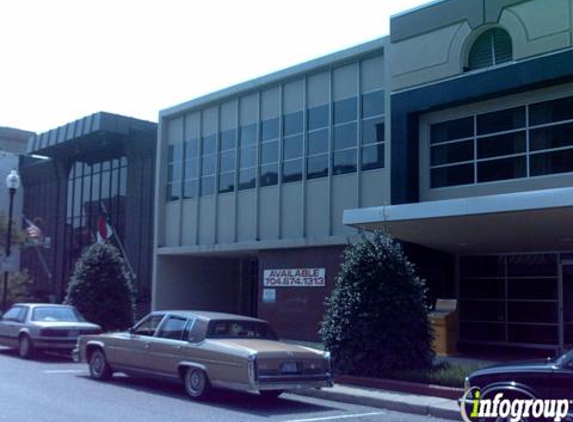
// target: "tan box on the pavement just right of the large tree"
[[445, 321]]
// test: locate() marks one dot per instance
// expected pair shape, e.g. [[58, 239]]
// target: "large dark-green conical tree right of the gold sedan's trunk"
[[377, 319]]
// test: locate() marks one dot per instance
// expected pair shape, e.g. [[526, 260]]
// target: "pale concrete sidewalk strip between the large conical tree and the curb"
[[400, 402]]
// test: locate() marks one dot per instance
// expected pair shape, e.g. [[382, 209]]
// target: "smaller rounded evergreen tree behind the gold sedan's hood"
[[101, 288]]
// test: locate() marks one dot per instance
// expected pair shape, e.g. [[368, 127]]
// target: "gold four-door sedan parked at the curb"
[[205, 350]]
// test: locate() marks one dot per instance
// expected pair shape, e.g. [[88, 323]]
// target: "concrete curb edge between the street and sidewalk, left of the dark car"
[[382, 403]]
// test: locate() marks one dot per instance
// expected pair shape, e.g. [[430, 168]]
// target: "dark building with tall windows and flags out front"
[[100, 165]]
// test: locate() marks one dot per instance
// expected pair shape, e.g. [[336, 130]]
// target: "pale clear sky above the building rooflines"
[[61, 60]]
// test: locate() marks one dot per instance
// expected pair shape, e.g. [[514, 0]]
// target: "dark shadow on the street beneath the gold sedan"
[[223, 399]]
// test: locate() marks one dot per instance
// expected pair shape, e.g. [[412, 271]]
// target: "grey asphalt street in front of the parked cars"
[[52, 388]]
